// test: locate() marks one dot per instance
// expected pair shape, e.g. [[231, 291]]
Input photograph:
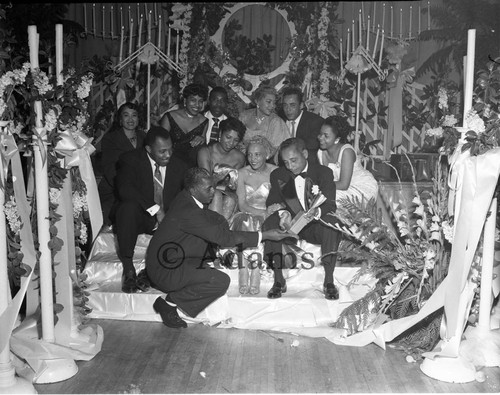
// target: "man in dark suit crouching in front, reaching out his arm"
[[177, 257]]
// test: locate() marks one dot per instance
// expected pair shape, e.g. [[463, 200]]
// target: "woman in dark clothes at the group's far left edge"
[[124, 135]]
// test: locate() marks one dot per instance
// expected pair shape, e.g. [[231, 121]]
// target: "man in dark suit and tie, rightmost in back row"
[[303, 124]]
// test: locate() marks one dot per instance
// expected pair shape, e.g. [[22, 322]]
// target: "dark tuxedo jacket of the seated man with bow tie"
[[283, 189]]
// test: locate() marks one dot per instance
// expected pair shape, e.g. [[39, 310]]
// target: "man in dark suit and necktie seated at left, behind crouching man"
[[147, 180]]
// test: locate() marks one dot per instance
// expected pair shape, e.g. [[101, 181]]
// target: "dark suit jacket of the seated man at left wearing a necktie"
[[134, 179]]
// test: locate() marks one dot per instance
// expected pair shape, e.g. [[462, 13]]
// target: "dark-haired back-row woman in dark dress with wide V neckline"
[[187, 125]]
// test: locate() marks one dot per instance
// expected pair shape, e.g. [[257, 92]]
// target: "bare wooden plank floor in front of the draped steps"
[[147, 357]]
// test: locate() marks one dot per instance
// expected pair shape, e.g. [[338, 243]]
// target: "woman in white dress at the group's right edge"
[[351, 178]]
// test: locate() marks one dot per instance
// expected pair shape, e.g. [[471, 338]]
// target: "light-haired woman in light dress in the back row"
[[262, 120]]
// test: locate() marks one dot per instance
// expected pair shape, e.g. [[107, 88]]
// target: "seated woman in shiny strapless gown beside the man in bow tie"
[[253, 189]]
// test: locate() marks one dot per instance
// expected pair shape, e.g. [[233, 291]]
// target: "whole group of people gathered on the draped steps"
[[202, 180]]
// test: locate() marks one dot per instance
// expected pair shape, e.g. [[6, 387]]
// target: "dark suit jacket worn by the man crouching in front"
[[184, 234]]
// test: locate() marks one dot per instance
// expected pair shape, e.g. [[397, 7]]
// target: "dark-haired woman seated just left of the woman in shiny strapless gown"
[[223, 159]]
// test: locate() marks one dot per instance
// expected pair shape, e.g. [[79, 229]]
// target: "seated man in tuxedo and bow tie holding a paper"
[[292, 188]]
